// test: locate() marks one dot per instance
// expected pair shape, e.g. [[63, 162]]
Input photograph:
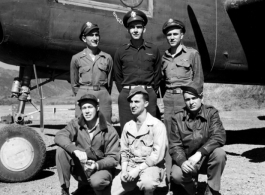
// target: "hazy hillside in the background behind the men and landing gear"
[[222, 96]]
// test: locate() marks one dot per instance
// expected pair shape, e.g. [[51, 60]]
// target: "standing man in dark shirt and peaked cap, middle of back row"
[[136, 63]]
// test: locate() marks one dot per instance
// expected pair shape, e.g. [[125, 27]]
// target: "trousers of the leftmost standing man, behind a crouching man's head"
[[104, 100]]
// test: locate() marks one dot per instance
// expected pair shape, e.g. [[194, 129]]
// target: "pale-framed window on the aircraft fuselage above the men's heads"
[[113, 5]]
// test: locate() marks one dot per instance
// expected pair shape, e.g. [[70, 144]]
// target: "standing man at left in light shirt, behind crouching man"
[[91, 71]]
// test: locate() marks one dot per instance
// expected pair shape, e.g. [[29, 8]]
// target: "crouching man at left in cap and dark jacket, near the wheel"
[[90, 143]]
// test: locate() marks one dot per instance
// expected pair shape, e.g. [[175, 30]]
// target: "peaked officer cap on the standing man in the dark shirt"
[[134, 15]]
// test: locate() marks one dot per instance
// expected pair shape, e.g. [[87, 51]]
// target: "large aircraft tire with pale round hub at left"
[[22, 153]]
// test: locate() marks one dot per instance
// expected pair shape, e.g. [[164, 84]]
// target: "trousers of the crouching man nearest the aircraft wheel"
[[68, 165]]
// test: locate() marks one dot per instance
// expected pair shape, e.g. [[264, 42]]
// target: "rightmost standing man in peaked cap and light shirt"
[[181, 65]]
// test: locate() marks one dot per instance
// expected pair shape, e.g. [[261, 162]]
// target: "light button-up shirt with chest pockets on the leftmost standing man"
[[85, 71]]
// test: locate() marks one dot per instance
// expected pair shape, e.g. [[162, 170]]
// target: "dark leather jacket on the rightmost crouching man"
[[204, 133]]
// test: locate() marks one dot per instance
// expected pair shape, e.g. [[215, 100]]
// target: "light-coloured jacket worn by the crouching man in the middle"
[[148, 145]]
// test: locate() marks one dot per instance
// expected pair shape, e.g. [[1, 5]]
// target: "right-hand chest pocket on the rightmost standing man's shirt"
[[184, 70]]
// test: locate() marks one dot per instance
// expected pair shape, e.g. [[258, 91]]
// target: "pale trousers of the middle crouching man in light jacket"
[[148, 180]]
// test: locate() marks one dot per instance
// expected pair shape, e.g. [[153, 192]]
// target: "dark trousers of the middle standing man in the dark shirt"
[[125, 113]]
